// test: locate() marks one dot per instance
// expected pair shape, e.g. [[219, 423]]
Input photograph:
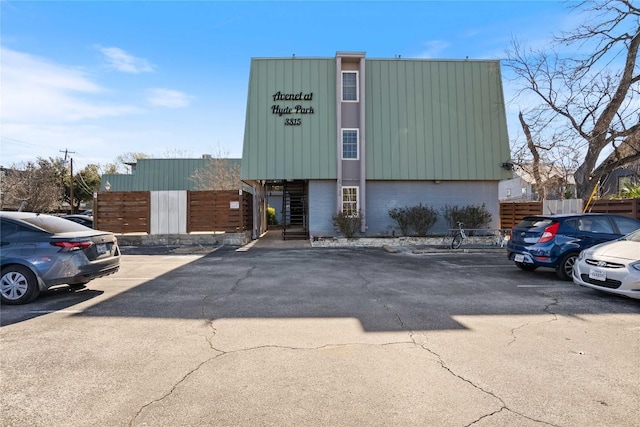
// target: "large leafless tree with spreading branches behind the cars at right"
[[587, 103]]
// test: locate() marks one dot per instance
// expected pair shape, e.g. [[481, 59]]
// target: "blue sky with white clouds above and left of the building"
[[170, 79]]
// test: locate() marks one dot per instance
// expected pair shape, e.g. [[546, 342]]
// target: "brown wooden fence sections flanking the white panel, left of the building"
[[207, 211]]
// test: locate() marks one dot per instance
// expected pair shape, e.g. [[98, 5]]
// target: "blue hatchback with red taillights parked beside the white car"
[[554, 241]]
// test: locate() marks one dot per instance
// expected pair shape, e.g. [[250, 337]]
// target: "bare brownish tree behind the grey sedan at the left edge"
[[36, 187]]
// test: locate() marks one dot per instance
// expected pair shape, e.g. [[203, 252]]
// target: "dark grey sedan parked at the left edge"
[[38, 251]]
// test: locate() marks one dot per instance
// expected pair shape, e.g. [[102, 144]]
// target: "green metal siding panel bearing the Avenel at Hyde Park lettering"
[[273, 150]]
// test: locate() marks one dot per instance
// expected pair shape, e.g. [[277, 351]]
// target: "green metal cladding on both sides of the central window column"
[[425, 120]]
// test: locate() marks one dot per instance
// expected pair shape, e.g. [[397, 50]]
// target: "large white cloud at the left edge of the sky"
[[37, 90]]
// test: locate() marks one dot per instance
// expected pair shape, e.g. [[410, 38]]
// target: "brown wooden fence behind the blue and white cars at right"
[[512, 212]]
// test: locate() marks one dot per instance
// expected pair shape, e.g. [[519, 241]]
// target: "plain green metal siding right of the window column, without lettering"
[[435, 120]]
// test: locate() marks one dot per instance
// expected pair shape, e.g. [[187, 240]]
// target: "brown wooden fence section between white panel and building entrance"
[[226, 211]]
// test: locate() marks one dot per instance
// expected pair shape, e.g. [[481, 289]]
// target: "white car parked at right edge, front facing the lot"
[[611, 267]]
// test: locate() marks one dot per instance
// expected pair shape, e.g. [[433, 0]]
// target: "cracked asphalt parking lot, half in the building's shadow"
[[321, 337]]
